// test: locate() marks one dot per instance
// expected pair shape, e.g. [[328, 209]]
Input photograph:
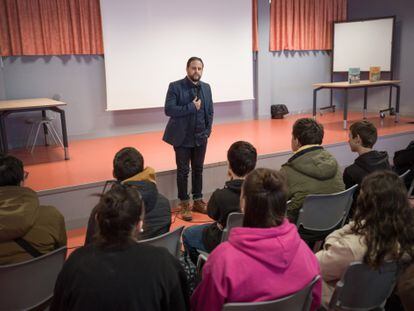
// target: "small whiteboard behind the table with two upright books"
[[363, 44]]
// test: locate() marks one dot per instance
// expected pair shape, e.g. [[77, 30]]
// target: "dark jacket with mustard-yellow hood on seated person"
[[157, 219]]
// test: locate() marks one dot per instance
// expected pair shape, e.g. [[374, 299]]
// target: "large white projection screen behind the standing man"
[[147, 44]]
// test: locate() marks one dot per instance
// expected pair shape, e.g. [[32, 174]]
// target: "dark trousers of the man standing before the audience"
[[183, 157]]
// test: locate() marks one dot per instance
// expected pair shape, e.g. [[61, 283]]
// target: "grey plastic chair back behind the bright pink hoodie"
[[299, 301]]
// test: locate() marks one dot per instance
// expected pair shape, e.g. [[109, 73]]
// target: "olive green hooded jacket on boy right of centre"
[[310, 171]]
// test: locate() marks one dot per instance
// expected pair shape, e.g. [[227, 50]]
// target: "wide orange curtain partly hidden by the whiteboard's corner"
[[302, 25]]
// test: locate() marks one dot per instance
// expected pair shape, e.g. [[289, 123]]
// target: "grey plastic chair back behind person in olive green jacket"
[[321, 214]]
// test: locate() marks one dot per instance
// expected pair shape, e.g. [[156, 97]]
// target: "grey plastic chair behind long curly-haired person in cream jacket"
[[363, 288]]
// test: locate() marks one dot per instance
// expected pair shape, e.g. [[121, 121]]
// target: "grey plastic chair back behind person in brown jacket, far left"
[[29, 285]]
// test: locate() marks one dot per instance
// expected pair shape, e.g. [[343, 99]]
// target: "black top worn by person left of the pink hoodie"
[[135, 277]]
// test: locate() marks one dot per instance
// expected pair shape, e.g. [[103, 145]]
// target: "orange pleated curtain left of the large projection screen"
[[50, 27]]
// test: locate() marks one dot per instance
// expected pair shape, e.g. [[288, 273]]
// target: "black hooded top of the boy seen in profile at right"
[[365, 164]]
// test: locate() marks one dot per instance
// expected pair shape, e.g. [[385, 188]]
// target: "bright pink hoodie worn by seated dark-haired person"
[[257, 265]]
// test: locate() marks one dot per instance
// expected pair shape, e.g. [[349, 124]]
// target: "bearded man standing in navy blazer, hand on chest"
[[189, 105]]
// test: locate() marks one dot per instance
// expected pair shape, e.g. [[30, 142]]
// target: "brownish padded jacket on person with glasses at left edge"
[[22, 216]]
